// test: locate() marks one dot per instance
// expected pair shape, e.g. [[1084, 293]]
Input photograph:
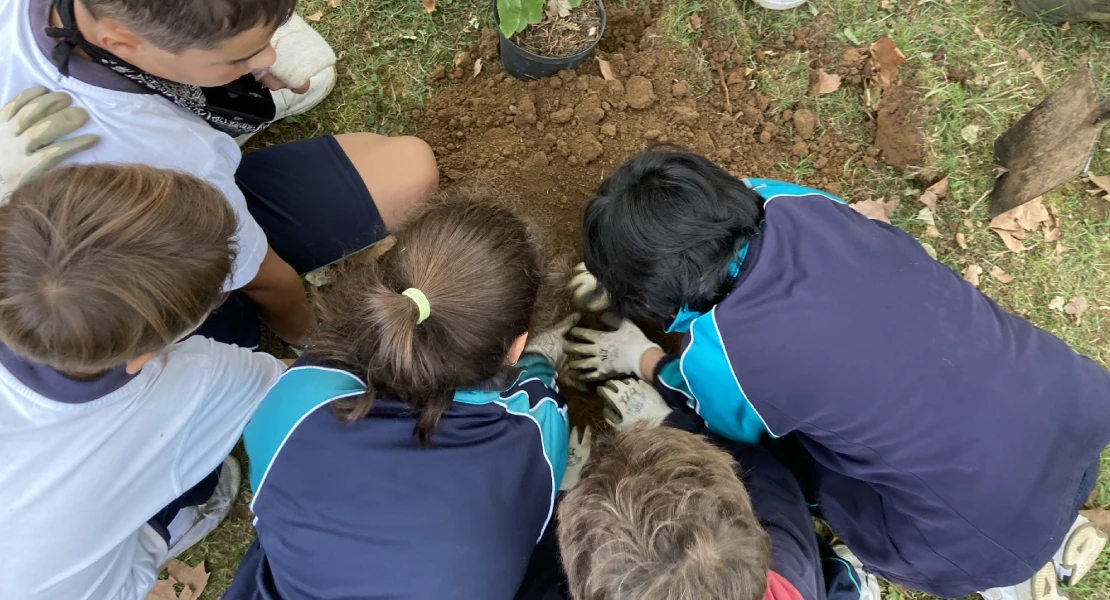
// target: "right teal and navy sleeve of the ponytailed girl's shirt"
[[537, 395]]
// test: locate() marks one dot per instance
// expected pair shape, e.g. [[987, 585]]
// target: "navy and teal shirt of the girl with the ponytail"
[[362, 511]]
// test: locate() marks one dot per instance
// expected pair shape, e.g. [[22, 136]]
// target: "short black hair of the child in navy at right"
[[663, 231]]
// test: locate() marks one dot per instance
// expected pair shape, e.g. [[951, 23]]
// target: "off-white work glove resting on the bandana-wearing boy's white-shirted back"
[[31, 127]]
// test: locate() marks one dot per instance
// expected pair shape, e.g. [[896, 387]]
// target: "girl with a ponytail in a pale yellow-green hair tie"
[[417, 450]]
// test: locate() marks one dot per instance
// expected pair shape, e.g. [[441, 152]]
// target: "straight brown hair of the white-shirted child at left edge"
[[104, 263]]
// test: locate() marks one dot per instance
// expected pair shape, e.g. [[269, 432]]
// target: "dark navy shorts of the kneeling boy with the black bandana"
[[315, 209]]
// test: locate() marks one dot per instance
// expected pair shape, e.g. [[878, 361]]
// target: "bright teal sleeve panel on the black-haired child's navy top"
[[710, 380]]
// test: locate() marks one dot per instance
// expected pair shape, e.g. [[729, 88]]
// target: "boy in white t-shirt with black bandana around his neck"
[[169, 85]]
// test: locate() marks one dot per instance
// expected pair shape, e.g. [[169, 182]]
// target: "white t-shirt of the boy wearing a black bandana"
[[134, 128]]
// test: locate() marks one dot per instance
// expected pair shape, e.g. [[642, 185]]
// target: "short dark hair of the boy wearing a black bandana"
[[177, 26]]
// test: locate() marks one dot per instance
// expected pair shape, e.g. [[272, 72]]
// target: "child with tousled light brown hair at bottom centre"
[[662, 514]]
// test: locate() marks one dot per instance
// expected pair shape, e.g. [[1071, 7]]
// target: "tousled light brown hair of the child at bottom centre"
[[660, 515]]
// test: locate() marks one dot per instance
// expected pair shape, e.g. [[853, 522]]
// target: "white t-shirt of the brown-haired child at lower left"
[[78, 480]]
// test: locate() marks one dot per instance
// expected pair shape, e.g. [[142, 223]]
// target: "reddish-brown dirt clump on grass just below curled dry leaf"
[[899, 128]]
